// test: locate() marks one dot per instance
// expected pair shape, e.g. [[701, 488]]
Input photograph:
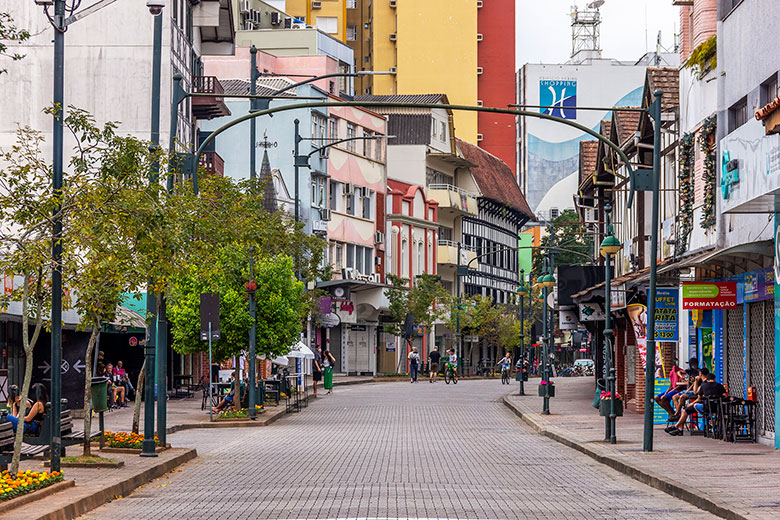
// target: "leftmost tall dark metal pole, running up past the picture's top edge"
[[56, 273]]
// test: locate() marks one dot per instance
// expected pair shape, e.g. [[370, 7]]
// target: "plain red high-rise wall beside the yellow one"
[[496, 84]]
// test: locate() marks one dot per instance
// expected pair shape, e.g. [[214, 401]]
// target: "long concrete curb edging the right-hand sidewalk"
[[618, 462]]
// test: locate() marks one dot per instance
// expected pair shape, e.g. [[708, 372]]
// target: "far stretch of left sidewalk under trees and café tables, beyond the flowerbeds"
[[186, 413]]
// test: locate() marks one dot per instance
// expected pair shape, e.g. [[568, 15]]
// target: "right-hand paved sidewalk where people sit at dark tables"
[[735, 481]]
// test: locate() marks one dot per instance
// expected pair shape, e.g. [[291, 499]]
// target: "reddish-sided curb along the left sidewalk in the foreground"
[[121, 488]]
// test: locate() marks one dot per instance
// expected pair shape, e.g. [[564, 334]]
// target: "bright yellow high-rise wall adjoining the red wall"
[[432, 47]]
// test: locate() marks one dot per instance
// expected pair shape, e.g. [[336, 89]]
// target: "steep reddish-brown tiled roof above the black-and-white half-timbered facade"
[[495, 179]]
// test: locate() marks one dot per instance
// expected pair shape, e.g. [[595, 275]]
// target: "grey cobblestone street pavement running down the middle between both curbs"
[[393, 450]]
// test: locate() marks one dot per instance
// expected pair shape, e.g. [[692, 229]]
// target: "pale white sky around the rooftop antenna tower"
[[543, 28]]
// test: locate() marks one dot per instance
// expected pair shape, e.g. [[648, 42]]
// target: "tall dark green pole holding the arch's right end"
[[655, 113]]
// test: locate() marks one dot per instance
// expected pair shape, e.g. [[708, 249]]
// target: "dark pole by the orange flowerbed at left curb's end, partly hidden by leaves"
[[148, 445]]
